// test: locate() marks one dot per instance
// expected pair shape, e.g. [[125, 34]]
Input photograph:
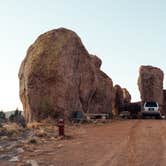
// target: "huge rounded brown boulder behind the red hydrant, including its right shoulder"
[[58, 76]]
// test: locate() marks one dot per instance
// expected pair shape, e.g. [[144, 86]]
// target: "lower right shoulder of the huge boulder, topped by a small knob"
[[103, 97]]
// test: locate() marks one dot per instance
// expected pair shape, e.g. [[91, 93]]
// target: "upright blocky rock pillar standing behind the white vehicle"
[[150, 83]]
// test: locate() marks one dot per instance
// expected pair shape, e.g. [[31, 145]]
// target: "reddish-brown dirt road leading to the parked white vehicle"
[[120, 143]]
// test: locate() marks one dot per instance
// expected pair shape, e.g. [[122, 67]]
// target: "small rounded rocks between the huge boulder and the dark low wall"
[[122, 96]]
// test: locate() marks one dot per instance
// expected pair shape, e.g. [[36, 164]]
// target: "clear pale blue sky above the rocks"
[[123, 33]]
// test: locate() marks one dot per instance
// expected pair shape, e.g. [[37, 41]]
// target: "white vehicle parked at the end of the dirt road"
[[151, 109]]
